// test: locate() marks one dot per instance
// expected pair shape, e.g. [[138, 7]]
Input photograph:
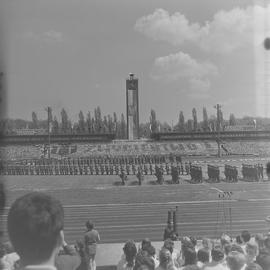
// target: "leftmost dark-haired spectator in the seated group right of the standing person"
[[128, 260]]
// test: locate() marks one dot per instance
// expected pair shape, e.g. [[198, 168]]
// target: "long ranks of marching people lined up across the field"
[[123, 166]]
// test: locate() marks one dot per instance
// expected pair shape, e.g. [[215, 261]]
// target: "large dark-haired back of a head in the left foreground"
[[34, 223]]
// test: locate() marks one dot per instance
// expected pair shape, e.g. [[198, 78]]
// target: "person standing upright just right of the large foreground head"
[[91, 239]]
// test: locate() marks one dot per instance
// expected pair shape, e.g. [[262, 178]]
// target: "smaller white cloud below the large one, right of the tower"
[[182, 66]]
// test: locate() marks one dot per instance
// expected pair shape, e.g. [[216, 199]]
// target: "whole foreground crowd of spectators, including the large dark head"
[[36, 232]]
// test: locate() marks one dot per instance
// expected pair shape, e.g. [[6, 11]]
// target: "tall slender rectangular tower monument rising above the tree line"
[[132, 101]]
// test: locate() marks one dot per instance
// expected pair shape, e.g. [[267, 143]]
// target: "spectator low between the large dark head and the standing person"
[[68, 258]]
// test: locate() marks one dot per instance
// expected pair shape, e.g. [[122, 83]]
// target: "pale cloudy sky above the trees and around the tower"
[[77, 54]]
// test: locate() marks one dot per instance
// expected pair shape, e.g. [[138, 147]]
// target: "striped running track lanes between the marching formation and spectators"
[[122, 213]]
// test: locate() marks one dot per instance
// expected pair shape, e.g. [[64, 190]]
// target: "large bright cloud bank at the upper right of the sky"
[[226, 32]]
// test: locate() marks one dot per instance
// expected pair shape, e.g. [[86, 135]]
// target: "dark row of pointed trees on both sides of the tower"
[[97, 123]]
